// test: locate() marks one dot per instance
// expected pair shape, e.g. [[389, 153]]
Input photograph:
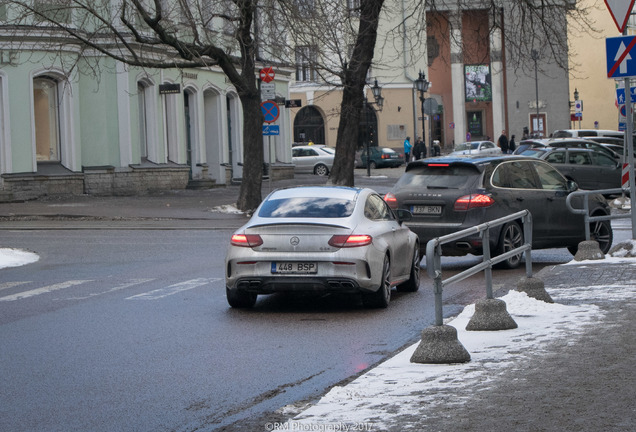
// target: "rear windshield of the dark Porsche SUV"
[[444, 177]]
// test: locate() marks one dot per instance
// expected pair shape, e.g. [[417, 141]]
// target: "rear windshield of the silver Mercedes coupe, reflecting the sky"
[[306, 207]]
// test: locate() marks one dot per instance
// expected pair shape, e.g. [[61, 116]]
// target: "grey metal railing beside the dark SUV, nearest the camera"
[[434, 253]]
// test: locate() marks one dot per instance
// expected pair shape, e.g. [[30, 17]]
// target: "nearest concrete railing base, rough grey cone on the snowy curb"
[[439, 345]]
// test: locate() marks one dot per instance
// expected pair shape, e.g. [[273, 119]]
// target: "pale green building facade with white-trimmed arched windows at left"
[[75, 121]]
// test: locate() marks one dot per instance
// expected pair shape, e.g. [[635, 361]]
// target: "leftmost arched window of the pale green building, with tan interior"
[[46, 102]]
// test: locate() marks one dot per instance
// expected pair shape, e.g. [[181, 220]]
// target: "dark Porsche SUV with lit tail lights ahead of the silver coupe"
[[449, 194]]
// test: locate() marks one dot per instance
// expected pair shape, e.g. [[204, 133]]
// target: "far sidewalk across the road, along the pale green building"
[[191, 209]]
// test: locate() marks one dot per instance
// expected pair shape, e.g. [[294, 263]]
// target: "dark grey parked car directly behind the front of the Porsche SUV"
[[590, 169]]
